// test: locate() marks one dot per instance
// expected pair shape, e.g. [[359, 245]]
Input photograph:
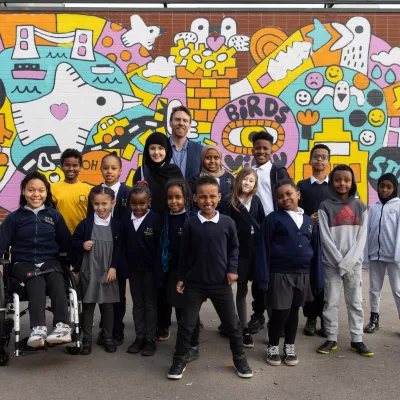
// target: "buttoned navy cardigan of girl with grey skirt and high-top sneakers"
[[284, 248]]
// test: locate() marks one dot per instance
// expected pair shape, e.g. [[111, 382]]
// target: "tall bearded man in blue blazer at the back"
[[186, 153]]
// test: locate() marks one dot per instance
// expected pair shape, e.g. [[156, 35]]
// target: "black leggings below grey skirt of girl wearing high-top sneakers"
[[283, 319]]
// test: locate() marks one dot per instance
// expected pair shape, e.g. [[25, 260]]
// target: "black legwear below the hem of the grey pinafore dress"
[[107, 318]]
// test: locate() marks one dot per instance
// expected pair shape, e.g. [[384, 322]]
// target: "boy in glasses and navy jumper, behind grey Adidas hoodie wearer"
[[313, 191]]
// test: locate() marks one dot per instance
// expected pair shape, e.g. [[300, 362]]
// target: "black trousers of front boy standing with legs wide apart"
[[224, 305]]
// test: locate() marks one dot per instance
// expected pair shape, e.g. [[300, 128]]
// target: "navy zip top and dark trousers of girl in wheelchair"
[[37, 237]]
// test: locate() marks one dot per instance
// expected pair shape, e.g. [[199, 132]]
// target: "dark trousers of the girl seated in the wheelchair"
[[36, 288]]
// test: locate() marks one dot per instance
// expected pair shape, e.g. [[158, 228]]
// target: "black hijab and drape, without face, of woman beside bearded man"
[[158, 174]]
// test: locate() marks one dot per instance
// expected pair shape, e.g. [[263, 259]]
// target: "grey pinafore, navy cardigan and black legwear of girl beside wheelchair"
[[93, 268]]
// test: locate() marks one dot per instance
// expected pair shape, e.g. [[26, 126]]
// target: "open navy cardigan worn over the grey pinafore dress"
[[83, 233]]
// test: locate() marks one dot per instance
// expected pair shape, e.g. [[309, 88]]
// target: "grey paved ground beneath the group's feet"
[[342, 375]]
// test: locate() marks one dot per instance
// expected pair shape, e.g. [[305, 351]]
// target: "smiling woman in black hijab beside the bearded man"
[[157, 170]]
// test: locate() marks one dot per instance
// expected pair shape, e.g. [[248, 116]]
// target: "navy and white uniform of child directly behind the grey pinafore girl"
[[121, 206]]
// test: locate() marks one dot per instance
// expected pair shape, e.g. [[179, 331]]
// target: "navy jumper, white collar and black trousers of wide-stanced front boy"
[[209, 251]]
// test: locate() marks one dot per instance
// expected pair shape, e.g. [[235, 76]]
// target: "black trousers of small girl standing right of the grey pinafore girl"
[[144, 299]]
